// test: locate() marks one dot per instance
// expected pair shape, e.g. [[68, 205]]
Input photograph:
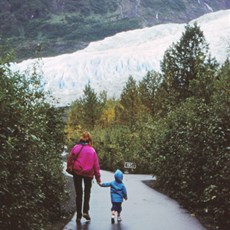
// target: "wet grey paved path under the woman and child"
[[145, 209]]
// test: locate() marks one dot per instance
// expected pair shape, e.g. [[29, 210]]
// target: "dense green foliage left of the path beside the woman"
[[31, 136]]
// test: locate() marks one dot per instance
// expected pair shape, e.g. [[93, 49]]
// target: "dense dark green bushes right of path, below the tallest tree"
[[191, 152]]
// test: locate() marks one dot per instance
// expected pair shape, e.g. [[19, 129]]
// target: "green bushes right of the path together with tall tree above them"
[[190, 141]]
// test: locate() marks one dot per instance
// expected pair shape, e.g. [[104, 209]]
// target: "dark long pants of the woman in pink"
[[79, 193]]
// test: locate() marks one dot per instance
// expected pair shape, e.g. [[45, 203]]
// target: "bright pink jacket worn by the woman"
[[87, 163]]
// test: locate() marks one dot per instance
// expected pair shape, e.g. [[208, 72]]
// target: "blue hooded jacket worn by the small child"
[[117, 188]]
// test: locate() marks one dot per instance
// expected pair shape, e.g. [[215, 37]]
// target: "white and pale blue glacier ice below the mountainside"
[[108, 63]]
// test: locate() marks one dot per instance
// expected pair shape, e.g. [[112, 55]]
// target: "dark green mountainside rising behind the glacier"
[[58, 26]]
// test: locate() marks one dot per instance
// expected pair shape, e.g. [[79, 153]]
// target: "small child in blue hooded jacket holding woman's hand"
[[118, 193]]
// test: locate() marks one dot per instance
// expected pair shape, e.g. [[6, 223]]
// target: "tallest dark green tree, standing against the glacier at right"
[[183, 62]]
